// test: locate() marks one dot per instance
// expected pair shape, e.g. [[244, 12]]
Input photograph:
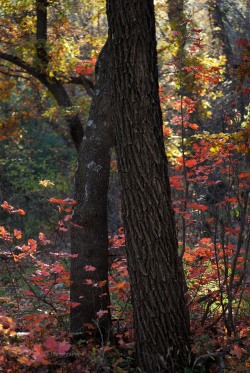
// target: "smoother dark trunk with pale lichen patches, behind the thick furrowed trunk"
[[89, 234]]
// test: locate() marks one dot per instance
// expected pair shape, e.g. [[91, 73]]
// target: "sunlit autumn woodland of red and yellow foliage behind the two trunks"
[[204, 66]]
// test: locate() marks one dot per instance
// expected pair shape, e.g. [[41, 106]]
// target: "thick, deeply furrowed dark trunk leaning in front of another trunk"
[[157, 281]]
